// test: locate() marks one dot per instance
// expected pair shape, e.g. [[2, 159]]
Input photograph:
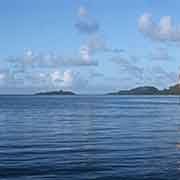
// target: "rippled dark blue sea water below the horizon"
[[89, 137]]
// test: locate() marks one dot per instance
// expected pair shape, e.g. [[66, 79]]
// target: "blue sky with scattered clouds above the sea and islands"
[[88, 46]]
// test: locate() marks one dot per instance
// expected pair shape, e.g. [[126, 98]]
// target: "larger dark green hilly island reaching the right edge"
[[149, 90]]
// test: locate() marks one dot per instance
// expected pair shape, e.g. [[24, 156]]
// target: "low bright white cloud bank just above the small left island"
[[52, 79]]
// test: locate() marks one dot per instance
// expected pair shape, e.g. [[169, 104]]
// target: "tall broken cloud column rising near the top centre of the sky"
[[94, 43]]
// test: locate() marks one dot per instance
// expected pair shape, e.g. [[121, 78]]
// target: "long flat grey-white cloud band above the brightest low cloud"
[[49, 60]]
